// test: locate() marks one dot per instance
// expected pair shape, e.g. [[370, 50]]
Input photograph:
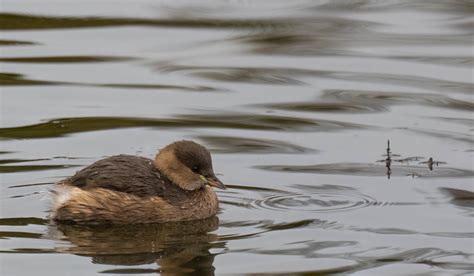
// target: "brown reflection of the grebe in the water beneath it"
[[178, 248]]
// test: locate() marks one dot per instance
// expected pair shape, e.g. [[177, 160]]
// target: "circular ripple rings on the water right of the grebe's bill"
[[317, 202]]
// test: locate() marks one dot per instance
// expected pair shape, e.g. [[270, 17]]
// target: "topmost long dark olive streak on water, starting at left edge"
[[16, 21]]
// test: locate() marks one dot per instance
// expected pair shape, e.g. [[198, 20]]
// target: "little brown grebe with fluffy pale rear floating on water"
[[130, 189]]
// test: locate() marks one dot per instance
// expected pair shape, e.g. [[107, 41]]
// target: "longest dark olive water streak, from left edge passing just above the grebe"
[[64, 126]]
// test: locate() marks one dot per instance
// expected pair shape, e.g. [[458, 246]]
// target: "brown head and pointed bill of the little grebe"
[[188, 165]]
